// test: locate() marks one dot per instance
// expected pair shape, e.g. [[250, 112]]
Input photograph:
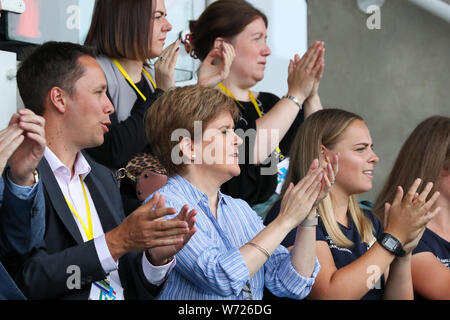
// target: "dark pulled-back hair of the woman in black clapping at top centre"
[[223, 18]]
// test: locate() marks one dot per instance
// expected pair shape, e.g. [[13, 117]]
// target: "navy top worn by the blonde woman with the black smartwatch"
[[341, 256]]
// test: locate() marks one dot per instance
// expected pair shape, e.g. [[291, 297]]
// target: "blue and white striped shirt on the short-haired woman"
[[211, 267]]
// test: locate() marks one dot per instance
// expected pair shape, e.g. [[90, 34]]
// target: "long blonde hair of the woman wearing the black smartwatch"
[[325, 127]]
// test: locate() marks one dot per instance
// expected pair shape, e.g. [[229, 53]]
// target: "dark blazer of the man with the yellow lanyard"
[[46, 271]]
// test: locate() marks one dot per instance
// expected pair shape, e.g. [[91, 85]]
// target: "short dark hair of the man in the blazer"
[[53, 64]]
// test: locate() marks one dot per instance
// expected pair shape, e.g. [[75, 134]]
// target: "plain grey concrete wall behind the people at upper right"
[[394, 77]]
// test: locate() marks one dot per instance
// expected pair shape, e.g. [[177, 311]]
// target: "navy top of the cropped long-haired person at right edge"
[[440, 248]]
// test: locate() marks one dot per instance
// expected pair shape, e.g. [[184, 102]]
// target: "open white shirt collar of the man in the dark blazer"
[[81, 166]]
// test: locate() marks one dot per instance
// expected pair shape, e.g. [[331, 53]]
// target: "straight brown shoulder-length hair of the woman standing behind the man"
[[122, 29]]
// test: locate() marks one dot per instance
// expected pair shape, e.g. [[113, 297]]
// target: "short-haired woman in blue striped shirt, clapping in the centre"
[[232, 255]]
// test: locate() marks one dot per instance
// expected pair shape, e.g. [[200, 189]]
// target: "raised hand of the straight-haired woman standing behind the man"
[[165, 66]]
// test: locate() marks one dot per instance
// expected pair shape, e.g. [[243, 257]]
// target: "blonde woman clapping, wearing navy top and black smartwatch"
[[359, 260]]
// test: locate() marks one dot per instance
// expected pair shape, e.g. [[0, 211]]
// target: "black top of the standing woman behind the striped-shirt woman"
[[251, 185]]
